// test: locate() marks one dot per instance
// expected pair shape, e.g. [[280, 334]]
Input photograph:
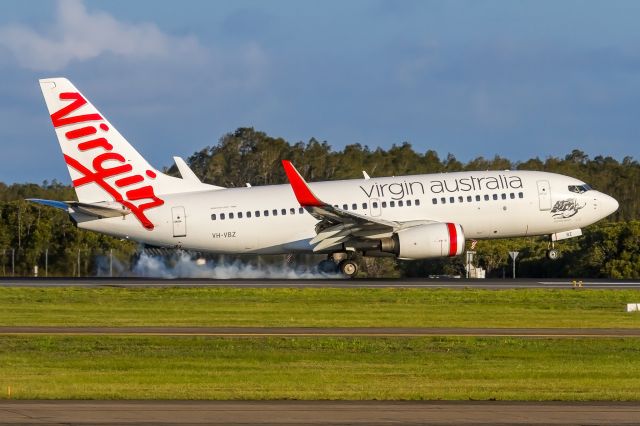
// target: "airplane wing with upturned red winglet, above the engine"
[[338, 226]]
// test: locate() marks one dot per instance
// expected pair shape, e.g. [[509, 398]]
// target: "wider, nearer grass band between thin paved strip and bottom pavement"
[[87, 367]]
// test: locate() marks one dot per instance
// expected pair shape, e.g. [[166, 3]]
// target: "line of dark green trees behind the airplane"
[[610, 248]]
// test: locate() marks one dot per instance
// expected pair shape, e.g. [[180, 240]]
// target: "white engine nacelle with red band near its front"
[[427, 241]]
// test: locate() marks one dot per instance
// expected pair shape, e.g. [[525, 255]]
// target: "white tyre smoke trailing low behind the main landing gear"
[[185, 265]]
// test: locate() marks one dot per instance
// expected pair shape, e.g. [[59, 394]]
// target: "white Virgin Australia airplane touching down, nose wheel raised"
[[408, 217]]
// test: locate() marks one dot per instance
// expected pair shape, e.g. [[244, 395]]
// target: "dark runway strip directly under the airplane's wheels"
[[492, 284]]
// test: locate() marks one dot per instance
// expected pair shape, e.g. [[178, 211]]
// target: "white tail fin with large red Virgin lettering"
[[102, 164]]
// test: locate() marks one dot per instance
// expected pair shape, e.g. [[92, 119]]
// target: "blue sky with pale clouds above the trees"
[[520, 79]]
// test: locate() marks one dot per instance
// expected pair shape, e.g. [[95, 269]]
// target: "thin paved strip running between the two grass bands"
[[324, 332]]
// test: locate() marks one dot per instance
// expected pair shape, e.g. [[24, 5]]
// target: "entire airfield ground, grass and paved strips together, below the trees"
[[308, 341]]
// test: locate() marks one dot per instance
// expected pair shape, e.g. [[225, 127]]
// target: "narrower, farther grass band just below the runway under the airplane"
[[317, 307]]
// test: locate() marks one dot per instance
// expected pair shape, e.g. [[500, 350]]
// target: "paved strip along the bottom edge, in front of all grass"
[[315, 413]]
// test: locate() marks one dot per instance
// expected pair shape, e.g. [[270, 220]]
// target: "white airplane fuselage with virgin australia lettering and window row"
[[490, 204]]
